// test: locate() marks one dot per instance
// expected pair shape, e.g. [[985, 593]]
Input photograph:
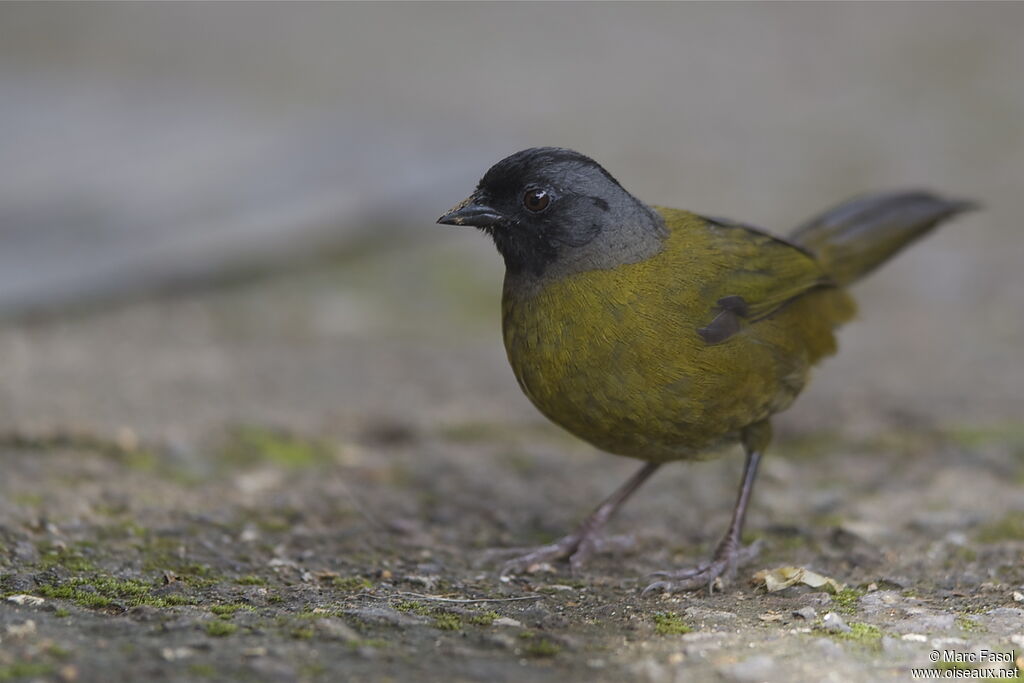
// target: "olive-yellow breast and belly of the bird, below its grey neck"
[[615, 358]]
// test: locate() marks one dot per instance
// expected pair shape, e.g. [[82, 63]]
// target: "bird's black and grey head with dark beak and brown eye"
[[544, 205]]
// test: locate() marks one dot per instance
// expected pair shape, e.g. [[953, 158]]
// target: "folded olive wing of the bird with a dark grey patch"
[[758, 275]]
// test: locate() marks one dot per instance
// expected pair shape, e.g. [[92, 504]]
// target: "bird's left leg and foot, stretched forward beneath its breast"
[[583, 543]]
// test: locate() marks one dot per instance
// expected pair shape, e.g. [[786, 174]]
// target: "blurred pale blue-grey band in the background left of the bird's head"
[[140, 188]]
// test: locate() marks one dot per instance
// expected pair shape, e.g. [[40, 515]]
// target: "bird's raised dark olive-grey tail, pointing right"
[[859, 236]]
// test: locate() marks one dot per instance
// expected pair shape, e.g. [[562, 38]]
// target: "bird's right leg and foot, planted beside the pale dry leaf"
[[730, 554]]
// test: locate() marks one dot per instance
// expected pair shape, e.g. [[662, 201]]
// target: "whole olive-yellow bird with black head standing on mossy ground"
[[663, 335]]
